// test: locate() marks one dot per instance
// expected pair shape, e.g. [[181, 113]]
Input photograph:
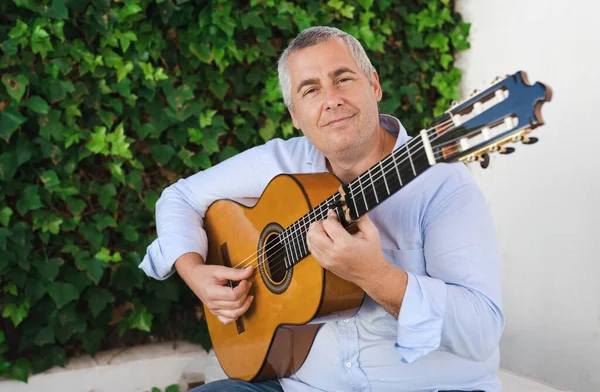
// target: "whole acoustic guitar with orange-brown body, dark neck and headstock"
[[293, 294]]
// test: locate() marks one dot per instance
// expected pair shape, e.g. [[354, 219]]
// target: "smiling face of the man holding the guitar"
[[334, 104]]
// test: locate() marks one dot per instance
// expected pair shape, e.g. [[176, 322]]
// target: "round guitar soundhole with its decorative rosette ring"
[[271, 259]]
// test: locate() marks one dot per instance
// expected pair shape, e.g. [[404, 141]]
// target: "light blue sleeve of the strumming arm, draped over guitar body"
[[182, 206]]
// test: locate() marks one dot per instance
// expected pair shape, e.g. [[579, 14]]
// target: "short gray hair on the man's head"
[[314, 36]]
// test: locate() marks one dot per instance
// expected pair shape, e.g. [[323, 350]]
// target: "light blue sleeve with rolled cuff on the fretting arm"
[[456, 307]]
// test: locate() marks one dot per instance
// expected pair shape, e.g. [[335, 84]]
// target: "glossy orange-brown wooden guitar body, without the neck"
[[273, 338]]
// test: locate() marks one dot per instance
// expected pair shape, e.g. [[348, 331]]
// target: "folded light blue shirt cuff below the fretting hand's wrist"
[[421, 317]]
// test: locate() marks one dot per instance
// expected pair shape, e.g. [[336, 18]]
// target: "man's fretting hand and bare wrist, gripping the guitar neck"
[[358, 258]]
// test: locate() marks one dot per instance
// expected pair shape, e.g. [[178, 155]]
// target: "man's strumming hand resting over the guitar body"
[[209, 282]]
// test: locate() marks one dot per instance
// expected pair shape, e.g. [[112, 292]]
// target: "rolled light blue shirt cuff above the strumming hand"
[[165, 250]]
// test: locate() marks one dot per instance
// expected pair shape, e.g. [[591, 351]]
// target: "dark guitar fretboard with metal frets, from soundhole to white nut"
[[363, 194]]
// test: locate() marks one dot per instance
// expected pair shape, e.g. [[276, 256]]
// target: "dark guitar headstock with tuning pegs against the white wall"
[[506, 112]]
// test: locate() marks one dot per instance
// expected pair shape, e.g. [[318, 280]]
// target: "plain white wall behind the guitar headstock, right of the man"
[[545, 198]]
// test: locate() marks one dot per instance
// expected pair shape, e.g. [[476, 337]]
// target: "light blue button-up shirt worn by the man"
[[438, 229]]
